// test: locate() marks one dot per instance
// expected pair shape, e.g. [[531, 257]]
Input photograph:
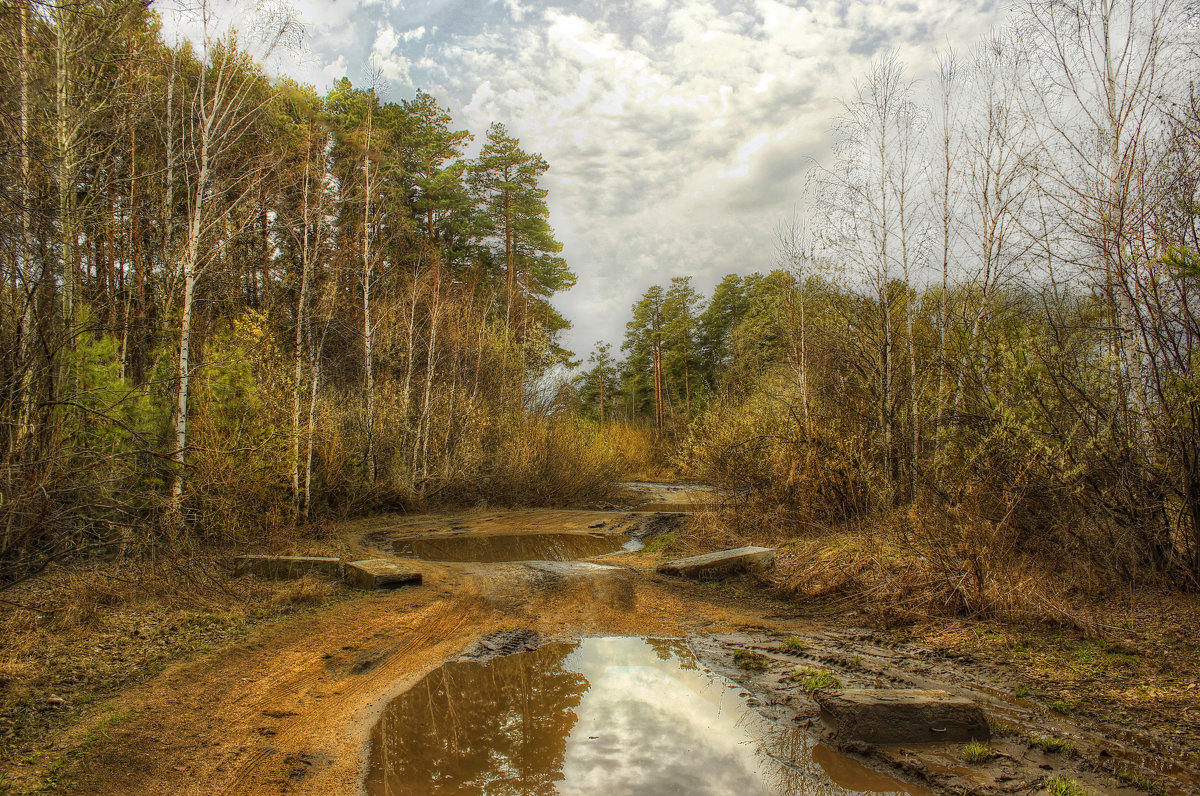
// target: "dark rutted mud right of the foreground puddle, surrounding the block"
[[1030, 745]]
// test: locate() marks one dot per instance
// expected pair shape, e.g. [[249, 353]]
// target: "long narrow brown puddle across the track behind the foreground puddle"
[[513, 547]]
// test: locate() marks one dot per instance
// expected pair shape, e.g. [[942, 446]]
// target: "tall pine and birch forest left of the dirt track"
[[232, 304]]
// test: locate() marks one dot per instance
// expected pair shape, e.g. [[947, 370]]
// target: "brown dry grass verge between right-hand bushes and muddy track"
[[1078, 642]]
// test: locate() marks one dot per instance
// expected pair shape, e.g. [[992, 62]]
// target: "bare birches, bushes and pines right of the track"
[[985, 326]]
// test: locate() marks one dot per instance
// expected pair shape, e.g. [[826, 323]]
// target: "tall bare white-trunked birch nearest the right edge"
[[1103, 71]]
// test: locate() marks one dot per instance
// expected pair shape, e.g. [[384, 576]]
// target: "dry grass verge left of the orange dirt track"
[[76, 636]]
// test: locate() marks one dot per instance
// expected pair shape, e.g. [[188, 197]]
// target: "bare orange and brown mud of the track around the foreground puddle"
[[290, 709]]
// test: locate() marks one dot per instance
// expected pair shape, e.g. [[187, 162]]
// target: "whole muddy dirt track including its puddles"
[[523, 668]]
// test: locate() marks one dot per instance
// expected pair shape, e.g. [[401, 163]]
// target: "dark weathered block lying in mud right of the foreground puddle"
[[902, 716]]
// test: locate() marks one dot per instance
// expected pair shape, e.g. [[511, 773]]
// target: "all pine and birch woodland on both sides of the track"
[[232, 304]]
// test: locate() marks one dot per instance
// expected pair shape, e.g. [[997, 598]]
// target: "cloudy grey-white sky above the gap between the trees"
[[679, 133]]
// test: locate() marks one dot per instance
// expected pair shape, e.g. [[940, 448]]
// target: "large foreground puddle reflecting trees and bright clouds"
[[617, 716]]
